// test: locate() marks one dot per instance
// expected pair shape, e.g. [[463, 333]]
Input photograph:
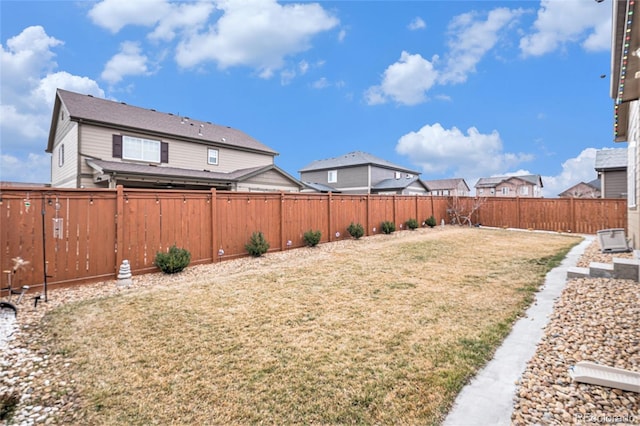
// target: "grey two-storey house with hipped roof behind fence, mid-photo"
[[362, 173]]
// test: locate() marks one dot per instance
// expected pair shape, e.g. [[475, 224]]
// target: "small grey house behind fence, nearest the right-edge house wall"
[[611, 165]]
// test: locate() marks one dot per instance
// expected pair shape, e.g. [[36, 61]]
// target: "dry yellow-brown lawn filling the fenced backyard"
[[383, 330]]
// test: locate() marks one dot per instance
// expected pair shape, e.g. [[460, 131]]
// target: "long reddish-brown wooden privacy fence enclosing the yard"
[[77, 235]]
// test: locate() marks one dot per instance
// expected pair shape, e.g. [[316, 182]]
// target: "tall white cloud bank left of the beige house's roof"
[[28, 86]]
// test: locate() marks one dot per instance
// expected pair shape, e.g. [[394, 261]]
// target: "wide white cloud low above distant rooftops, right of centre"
[[471, 155]]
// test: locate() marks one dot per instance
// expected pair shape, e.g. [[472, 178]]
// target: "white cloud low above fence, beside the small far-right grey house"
[[574, 171]]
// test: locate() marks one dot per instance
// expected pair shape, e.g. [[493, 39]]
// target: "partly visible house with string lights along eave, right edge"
[[625, 91]]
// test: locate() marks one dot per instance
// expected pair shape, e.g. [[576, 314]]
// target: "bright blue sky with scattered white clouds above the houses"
[[447, 88]]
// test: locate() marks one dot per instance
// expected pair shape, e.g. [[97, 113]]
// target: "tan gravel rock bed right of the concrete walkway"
[[595, 320]]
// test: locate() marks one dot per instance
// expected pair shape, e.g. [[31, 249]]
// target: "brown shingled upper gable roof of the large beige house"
[[106, 113]]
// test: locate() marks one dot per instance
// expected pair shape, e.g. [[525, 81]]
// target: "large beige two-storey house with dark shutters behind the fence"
[[98, 143]]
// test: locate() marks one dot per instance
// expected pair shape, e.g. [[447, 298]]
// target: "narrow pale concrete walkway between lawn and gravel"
[[488, 398]]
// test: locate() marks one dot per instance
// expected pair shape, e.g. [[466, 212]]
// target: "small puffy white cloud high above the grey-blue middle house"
[[404, 82]]
